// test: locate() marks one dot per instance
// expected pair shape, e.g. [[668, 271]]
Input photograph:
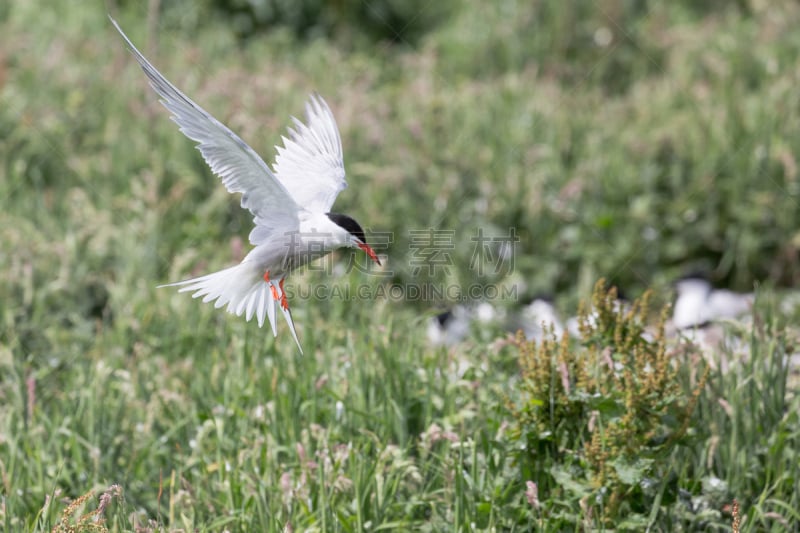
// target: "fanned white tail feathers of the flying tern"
[[243, 289]]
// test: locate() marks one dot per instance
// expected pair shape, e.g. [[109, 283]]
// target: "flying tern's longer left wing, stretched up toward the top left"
[[239, 167]]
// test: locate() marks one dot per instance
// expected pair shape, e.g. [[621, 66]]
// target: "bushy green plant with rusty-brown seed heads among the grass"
[[599, 419]]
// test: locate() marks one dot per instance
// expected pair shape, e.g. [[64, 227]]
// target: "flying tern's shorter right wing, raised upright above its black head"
[[310, 163]]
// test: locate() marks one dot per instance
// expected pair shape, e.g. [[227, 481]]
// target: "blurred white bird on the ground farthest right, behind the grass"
[[698, 303]]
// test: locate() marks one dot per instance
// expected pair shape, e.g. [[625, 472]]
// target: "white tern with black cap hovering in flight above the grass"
[[290, 202]]
